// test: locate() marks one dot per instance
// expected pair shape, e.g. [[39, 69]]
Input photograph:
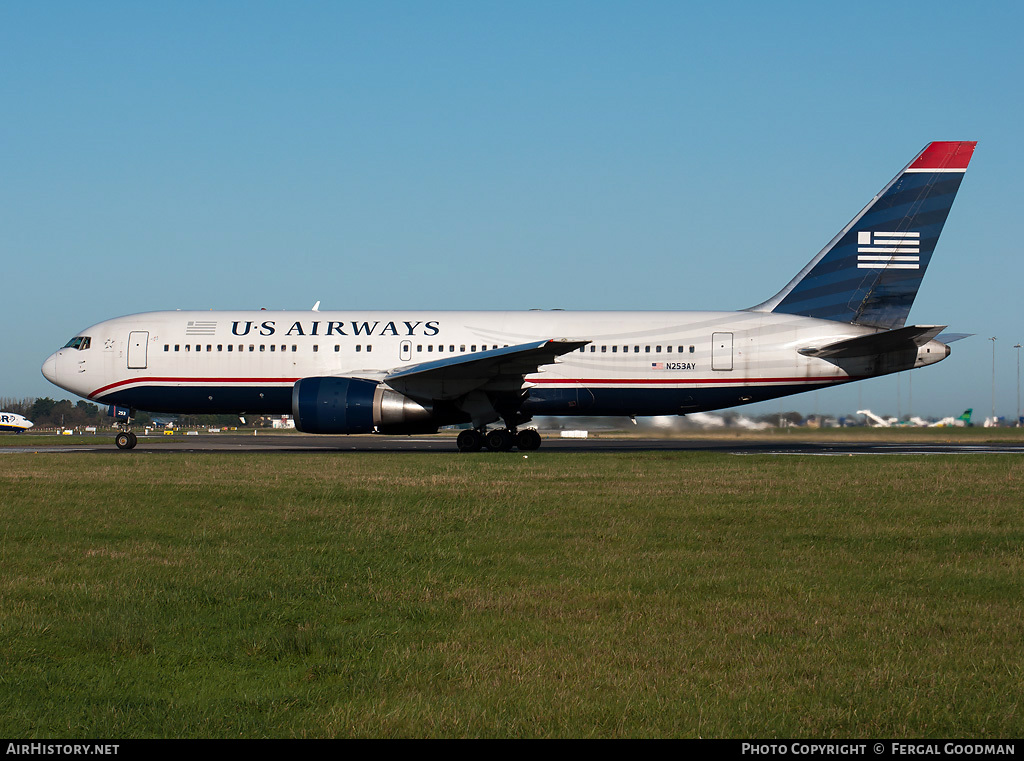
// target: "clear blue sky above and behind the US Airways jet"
[[483, 155]]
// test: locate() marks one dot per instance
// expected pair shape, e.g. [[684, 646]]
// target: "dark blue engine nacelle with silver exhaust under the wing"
[[357, 406]]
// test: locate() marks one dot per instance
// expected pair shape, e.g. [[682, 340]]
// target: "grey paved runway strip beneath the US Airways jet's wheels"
[[446, 446]]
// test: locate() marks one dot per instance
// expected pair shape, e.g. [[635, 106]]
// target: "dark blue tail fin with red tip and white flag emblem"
[[870, 274]]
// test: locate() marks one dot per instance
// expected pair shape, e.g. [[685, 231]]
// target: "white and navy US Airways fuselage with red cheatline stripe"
[[637, 363]]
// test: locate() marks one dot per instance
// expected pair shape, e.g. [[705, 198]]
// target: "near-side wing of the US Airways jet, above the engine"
[[497, 370]]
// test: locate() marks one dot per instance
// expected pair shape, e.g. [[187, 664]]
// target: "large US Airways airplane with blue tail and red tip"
[[842, 319]]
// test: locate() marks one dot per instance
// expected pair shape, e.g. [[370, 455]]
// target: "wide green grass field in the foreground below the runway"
[[591, 596]]
